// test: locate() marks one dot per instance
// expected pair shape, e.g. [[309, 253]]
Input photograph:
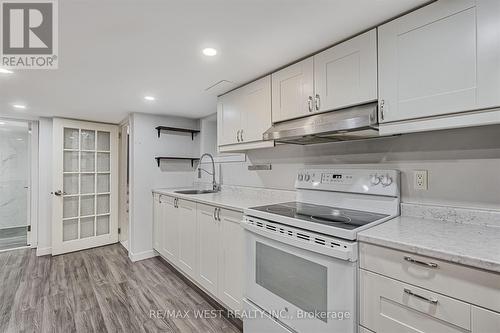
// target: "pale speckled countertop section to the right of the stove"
[[471, 244]]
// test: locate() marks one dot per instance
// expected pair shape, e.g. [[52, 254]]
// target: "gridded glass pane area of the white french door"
[[86, 183]]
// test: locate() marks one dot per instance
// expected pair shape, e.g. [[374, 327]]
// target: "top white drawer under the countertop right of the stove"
[[471, 285]]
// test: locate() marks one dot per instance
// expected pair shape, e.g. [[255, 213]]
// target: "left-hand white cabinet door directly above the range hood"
[[292, 91]]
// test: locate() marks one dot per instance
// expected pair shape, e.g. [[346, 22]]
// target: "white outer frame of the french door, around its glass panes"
[[58, 246]]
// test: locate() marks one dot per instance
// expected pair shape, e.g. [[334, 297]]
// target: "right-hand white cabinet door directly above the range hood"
[[346, 74]]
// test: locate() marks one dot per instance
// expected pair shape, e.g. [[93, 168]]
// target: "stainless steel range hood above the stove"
[[354, 123]]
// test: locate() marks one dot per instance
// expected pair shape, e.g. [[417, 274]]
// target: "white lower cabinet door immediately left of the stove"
[[231, 259]]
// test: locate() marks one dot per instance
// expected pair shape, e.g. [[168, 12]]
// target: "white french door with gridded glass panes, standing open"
[[85, 185]]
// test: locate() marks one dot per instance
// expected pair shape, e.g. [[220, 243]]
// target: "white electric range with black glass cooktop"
[[301, 256]]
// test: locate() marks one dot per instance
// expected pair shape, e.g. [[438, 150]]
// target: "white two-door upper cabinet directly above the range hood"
[[341, 76]]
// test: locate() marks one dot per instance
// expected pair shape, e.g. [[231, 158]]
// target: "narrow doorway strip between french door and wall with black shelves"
[[124, 184]]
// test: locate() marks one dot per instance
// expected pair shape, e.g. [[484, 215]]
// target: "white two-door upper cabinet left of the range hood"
[[244, 114]]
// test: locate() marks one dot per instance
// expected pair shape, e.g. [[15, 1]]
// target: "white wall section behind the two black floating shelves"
[[145, 174]]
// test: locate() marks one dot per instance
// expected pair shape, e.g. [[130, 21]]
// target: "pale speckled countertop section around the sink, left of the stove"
[[234, 197]]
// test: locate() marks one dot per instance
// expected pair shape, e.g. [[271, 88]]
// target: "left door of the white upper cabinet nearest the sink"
[[229, 109]]
